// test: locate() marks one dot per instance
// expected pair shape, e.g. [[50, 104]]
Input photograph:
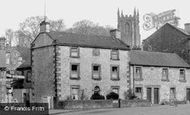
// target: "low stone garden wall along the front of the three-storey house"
[[101, 104]]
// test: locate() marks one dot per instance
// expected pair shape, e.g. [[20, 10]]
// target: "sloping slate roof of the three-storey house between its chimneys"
[[73, 39]]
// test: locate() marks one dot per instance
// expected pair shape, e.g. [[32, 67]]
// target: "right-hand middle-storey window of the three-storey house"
[[114, 72]]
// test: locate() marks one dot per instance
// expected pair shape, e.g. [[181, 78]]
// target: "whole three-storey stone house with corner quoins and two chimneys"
[[69, 66]]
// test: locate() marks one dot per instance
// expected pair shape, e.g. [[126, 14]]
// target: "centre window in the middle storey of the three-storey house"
[[96, 72]]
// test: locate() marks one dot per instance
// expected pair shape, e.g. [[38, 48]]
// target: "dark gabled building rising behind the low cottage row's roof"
[[170, 39]]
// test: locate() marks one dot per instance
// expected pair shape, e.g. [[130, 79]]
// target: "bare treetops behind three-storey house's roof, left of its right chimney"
[[88, 27]]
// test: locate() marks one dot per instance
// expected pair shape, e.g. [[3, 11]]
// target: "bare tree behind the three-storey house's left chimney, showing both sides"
[[29, 29]]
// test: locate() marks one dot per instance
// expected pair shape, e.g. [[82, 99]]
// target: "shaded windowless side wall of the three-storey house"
[[43, 73]]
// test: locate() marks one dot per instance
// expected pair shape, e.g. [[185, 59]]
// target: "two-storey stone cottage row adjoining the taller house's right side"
[[159, 76]]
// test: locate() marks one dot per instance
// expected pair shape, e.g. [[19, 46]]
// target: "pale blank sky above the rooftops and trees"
[[103, 12]]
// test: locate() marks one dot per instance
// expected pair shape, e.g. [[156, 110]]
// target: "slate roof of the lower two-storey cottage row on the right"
[[159, 59]]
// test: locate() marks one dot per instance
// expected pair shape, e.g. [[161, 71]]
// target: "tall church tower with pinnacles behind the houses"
[[129, 28]]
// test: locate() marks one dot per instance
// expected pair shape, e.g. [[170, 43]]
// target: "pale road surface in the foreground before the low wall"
[[154, 110]]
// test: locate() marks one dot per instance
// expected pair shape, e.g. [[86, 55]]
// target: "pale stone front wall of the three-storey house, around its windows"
[[86, 82]]
